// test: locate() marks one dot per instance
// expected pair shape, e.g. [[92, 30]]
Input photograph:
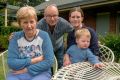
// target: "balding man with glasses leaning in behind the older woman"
[[56, 27]]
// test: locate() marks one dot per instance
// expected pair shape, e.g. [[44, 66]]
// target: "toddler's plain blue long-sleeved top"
[[79, 55]]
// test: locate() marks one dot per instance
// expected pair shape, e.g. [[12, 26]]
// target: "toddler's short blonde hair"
[[82, 32]]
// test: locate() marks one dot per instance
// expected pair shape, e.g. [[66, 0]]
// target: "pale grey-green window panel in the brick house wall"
[[102, 23]]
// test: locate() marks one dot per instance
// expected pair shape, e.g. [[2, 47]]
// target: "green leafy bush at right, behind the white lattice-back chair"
[[113, 42]]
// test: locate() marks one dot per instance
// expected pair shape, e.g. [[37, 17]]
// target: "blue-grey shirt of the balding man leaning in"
[[60, 29]]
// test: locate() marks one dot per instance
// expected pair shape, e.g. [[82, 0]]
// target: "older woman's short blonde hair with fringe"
[[26, 12]]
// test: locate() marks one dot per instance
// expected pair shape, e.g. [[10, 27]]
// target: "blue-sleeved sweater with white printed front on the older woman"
[[21, 51]]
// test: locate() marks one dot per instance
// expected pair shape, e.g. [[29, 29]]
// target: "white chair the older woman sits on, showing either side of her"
[[5, 68]]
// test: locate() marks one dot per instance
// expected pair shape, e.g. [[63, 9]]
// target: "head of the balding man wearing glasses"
[[51, 15]]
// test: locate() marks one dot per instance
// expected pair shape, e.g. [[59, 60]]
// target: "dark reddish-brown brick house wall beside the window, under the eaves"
[[91, 18]]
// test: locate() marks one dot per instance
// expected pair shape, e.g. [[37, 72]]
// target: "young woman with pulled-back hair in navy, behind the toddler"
[[76, 17]]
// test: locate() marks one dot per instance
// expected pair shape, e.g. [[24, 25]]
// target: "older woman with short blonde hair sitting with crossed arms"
[[30, 52]]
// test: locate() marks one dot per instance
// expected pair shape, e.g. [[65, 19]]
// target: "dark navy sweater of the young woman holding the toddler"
[[93, 42]]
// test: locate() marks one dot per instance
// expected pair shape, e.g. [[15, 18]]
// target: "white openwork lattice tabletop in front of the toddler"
[[85, 71]]
